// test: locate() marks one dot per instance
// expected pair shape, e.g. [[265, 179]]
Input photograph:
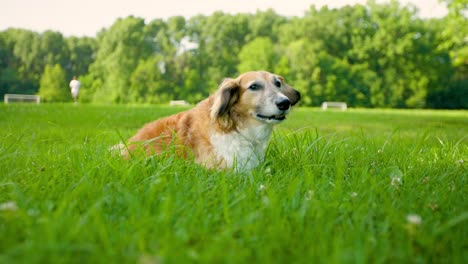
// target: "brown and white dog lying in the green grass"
[[228, 130]]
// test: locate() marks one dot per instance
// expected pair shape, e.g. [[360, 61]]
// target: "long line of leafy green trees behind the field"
[[373, 55]]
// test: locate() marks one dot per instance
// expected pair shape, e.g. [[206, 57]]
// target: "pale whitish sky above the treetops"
[[87, 17]]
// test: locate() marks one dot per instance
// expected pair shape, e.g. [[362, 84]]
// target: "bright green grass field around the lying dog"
[[362, 186]]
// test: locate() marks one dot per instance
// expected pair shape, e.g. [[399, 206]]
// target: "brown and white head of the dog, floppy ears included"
[[253, 97]]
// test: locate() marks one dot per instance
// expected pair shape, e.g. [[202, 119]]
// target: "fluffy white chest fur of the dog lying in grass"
[[244, 148]]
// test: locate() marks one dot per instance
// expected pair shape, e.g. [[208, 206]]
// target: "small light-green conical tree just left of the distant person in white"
[[53, 85]]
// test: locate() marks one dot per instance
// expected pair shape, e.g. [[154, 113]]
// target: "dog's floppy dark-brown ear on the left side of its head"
[[226, 96]]
